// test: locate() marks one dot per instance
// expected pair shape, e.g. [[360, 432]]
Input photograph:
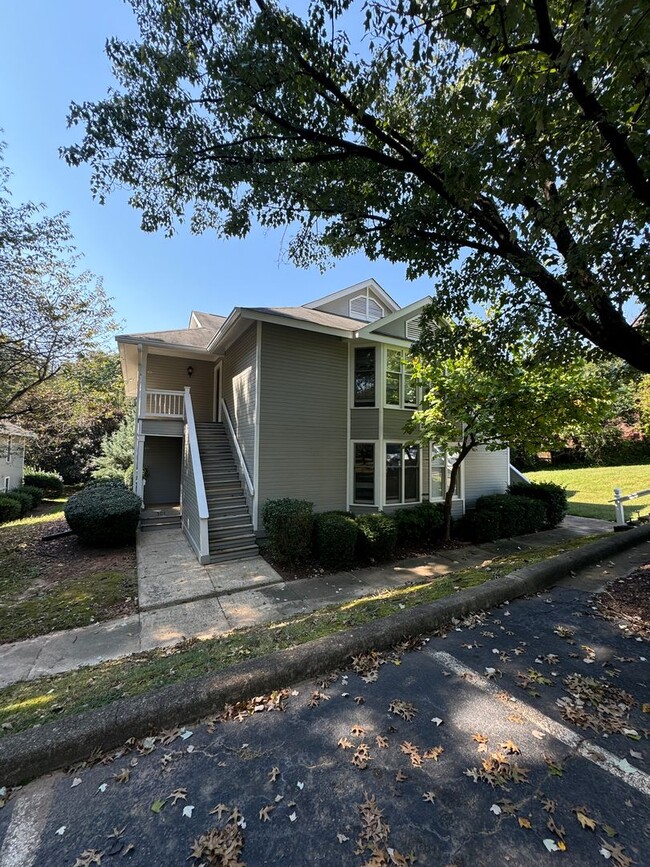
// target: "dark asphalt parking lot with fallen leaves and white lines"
[[486, 692]]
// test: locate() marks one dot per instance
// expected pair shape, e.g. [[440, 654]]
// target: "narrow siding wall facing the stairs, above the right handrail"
[[239, 384]]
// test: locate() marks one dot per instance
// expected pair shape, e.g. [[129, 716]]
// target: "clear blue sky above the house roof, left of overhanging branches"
[[51, 53]]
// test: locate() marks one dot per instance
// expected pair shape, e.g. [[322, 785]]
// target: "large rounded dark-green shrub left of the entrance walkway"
[[104, 516]]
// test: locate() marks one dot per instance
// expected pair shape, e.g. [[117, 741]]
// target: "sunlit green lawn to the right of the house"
[[590, 489]]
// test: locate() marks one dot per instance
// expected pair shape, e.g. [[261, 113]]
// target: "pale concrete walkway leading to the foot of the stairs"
[[180, 599]]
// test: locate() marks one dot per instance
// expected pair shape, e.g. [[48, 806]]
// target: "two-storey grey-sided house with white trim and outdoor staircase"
[[307, 402]]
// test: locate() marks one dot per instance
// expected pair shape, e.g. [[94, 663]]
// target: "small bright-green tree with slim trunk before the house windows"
[[481, 394]]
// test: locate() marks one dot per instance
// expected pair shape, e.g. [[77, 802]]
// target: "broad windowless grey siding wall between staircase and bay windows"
[[303, 417]]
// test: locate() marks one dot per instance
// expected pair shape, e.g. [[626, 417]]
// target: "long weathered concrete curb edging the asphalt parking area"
[[37, 751]]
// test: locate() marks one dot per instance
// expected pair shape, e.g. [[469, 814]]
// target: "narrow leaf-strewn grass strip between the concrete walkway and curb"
[[30, 703]]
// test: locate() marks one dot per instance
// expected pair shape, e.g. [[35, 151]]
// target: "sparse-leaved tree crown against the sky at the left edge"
[[51, 312]]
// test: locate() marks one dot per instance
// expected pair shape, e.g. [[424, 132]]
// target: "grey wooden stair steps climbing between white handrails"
[[230, 529]]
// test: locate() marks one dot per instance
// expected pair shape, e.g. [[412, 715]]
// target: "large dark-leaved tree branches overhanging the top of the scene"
[[499, 147]]
